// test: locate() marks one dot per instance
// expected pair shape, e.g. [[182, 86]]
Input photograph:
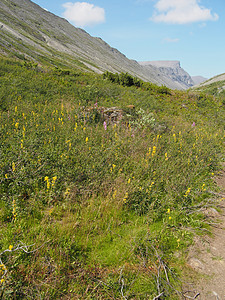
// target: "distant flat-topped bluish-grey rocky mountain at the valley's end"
[[172, 70]]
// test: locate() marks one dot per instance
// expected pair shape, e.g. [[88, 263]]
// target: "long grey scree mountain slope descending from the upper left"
[[30, 32]]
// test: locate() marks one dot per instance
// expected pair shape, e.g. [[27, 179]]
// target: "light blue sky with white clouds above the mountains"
[[191, 31]]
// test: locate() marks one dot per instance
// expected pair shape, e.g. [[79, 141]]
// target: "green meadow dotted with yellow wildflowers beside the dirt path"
[[93, 208]]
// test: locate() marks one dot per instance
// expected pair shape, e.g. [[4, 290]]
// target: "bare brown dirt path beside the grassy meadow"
[[207, 256]]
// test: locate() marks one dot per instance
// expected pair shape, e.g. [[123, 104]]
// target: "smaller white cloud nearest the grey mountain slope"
[[83, 14]]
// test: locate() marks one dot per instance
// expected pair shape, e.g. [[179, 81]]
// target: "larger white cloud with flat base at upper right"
[[182, 12]]
